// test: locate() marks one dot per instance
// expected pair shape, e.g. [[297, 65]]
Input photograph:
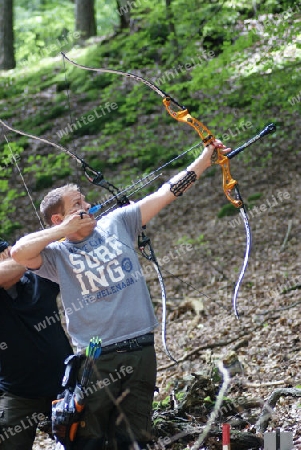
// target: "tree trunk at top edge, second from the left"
[[85, 22]]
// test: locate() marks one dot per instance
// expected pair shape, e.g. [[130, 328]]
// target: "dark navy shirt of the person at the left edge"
[[33, 345]]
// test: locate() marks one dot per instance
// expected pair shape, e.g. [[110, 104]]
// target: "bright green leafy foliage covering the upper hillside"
[[239, 68]]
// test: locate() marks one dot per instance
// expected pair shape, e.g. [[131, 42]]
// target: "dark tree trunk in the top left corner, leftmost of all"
[[7, 56]]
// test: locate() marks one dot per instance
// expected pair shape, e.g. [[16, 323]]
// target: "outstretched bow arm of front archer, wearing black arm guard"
[[153, 203]]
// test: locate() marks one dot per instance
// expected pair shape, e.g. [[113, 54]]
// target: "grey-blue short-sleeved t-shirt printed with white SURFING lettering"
[[103, 289]]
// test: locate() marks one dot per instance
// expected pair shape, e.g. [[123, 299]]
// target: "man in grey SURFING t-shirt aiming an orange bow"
[[104, 294]]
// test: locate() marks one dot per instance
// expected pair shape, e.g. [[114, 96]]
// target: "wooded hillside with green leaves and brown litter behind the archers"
[[236, 65]]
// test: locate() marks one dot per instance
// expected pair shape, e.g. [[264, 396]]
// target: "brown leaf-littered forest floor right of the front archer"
[[201, 256]]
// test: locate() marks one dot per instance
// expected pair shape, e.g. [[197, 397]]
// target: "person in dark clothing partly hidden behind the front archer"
[[33, 347]]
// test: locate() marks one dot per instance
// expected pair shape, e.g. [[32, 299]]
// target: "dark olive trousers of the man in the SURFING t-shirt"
[[119, 399]]
